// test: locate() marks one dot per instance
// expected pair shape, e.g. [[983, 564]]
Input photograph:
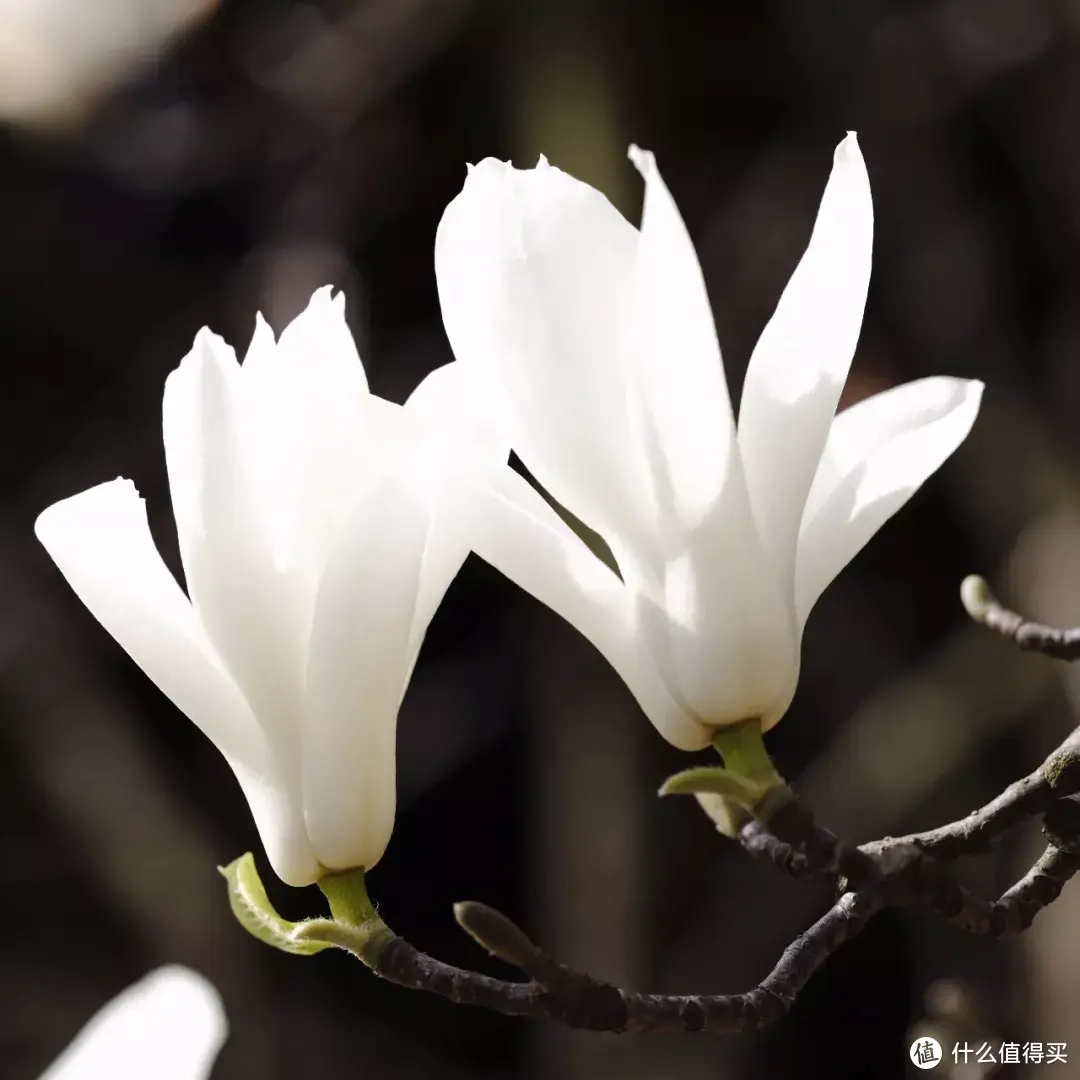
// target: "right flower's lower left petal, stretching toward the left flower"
[[514, 529]]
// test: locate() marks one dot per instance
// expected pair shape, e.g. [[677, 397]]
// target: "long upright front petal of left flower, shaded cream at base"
[[358, 668]]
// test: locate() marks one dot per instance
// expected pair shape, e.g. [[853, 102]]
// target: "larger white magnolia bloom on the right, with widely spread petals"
[[598, 345]]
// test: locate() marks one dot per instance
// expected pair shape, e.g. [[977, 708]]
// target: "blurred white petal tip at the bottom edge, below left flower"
[[169, 1027]]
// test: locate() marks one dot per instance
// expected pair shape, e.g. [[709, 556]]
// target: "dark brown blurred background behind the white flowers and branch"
[[171, 164]]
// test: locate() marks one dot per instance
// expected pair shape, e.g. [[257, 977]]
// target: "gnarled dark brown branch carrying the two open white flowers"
[[910, 872]]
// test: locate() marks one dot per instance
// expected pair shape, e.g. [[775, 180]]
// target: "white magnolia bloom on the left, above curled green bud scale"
[[310, 522]]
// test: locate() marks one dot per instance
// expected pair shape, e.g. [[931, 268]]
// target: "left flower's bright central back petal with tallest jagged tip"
[[307, 403]]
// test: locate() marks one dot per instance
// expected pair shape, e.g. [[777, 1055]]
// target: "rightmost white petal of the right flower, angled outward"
[[880, 453]]
